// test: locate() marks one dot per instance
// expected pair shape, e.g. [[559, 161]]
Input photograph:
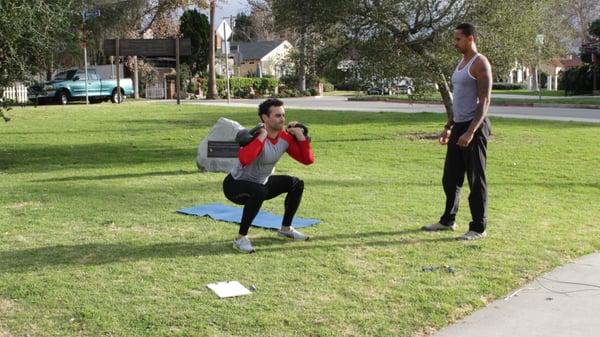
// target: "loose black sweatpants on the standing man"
[[470, 160]]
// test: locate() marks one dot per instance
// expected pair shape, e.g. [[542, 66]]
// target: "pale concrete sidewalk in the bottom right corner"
[[564, 302]]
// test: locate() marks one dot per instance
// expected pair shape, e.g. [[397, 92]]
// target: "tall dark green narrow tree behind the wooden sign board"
[[195, 25]]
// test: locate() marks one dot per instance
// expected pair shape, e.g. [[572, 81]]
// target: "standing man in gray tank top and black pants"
[[466, 134]]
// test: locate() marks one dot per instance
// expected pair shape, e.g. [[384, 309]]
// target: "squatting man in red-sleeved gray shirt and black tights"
[[251, 182]]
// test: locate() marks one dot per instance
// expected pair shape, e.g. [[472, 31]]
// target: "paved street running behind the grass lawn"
[[341, 103]]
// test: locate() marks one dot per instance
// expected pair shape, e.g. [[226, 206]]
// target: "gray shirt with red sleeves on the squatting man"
[[256, 160]]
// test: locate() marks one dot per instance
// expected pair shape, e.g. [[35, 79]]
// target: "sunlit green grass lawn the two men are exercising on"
[[90, 244]]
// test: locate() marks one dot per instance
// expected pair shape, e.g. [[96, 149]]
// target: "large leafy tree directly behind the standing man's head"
[[415, 38]]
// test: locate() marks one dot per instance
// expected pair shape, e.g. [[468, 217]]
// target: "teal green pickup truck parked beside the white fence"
[[70, 86]]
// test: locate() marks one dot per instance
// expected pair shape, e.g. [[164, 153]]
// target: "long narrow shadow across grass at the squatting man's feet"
[[21, 261]]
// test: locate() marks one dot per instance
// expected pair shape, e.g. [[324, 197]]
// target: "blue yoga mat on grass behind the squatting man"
[[234, 214]]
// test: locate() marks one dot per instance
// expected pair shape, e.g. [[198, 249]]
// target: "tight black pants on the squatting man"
[[252, 195]]
